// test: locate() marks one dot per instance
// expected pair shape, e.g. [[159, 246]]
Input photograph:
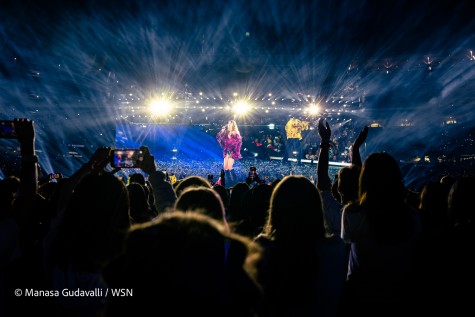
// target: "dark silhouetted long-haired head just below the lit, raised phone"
[[95, 223]]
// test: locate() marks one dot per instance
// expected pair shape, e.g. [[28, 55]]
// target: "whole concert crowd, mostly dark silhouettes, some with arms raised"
[[110, 242]]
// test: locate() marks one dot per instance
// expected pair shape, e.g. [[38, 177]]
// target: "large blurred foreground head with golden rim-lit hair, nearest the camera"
[[180, 260]]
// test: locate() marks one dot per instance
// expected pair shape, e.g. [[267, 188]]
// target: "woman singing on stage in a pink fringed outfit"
[[230, 141]]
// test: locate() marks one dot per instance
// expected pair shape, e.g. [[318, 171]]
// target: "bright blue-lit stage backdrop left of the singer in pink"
[[170, 141]]
